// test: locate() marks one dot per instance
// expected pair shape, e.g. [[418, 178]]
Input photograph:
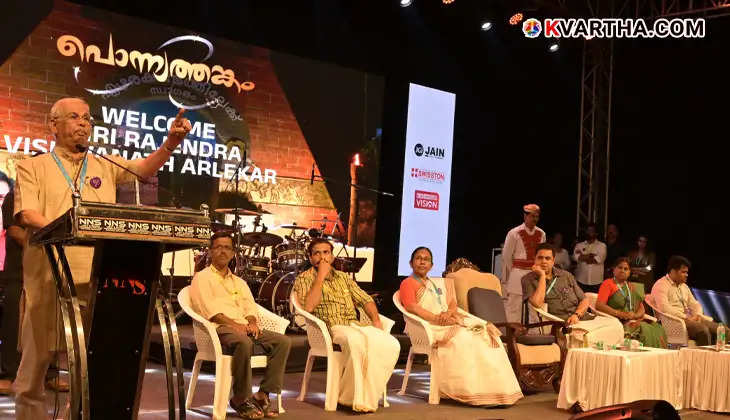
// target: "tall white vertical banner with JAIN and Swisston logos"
[[427, 176]]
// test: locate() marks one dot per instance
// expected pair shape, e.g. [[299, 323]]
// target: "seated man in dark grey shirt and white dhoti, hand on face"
[[547, 284]]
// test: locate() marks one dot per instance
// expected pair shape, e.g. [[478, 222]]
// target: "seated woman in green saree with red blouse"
[[622, 299]]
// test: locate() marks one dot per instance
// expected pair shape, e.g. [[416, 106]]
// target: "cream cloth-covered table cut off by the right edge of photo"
[[706, 378]]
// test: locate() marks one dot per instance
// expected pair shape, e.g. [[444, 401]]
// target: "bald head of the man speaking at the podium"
[[70, 122]]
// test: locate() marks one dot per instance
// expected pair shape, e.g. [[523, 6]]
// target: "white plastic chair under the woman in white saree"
[[423, 342]]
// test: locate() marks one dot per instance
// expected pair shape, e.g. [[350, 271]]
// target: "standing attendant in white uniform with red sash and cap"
[[518, 257]]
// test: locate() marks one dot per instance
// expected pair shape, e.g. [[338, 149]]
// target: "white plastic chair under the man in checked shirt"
[[320, 345]]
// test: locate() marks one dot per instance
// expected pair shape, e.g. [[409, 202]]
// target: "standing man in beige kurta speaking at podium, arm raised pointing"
[[43, 192]]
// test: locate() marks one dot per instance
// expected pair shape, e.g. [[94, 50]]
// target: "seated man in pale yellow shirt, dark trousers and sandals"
[[225, 299]]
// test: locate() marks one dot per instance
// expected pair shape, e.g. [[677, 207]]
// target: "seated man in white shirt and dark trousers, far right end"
[[672, 296]]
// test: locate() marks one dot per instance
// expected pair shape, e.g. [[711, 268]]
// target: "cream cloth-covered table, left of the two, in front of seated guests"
[[599, 378]]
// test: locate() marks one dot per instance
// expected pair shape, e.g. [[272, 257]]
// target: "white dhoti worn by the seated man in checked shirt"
[[369, 356]]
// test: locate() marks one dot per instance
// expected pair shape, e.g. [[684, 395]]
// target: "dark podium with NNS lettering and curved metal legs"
[[107, 346]]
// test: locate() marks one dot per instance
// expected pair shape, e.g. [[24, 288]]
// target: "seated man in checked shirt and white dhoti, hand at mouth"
[[370, 353]]
